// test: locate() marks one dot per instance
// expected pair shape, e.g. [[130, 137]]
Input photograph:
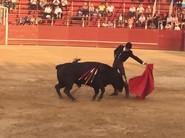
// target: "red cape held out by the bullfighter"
[[141, 86]]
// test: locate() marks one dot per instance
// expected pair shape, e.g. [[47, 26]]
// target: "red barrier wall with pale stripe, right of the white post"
[[93, 36]]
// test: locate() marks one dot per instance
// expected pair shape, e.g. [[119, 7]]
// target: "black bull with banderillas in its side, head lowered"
[[94, 74]]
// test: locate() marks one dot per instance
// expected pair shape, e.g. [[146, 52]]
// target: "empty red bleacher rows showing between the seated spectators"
[[22, 10]]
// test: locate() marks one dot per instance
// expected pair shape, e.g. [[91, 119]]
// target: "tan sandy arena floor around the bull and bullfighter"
[[30, 107]]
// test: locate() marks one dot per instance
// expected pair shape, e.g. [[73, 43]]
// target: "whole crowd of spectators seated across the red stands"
[[105, 14]]
